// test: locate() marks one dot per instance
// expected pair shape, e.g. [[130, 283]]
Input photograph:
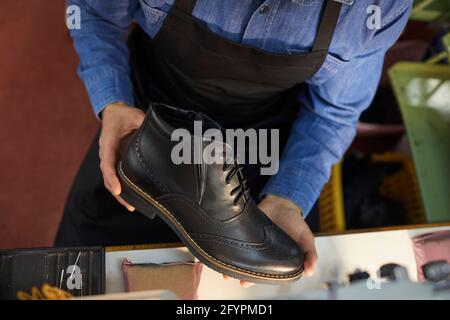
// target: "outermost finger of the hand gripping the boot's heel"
[[108, 157]]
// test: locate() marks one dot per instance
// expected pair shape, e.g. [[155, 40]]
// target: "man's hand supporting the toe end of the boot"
[[288, 217]]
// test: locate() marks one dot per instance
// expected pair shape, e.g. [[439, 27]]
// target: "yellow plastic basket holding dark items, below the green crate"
[[400, 186]]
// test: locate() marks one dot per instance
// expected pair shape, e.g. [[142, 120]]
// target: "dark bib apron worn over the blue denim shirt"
[[189, 66]]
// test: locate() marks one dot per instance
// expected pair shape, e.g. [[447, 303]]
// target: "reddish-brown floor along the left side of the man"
[[46, 121]]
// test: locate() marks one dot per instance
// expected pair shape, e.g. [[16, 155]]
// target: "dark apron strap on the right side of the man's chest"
[[327, 25]]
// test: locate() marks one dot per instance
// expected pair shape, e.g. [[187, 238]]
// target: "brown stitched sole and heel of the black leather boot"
[[149, 207]]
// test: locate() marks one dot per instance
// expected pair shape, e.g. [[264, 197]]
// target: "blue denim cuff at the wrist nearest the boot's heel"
[[108, 86]]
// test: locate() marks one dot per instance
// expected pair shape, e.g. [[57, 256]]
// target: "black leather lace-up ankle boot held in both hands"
[[208, 206]]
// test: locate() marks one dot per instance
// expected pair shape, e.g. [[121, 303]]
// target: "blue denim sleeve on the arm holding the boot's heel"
[[102, 50]]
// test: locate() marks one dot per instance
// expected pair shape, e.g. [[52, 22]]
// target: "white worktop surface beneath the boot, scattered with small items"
[[338, 256]]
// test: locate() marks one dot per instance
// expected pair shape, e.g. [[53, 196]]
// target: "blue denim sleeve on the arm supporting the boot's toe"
[[329, 111]]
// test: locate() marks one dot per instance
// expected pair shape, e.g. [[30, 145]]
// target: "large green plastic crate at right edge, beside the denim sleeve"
[[423, 93]]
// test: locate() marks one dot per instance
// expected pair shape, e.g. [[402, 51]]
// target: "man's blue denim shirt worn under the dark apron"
[[328, 109]]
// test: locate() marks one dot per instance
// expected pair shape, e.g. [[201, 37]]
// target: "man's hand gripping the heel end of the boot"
[[118, 121]]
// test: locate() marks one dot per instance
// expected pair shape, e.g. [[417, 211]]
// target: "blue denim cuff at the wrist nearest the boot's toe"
[[295, 185]]
